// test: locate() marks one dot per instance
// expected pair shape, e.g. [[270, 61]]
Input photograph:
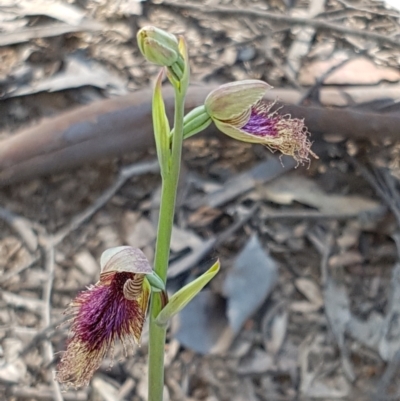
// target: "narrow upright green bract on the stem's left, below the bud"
[[161, 126]]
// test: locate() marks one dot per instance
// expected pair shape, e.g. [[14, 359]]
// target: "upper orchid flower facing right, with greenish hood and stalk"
[[238, 110]]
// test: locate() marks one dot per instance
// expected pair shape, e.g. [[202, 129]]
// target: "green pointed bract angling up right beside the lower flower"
[[181, 298]]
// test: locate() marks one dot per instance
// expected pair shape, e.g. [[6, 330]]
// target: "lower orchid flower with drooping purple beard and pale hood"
[[114, 308]]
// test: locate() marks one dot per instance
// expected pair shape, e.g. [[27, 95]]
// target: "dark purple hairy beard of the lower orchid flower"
[[102, 314]]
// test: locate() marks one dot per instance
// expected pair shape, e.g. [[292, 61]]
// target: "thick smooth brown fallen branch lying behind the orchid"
[[113, 127]]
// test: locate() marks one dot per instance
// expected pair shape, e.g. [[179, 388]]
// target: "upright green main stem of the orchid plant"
[[166, 219]]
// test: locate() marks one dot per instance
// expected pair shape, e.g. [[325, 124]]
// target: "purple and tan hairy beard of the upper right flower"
[[279, 132]]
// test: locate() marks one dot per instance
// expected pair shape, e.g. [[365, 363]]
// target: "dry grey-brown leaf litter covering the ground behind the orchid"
[[296, 331]]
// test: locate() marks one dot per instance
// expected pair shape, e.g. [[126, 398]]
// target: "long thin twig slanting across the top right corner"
[[317, 23]]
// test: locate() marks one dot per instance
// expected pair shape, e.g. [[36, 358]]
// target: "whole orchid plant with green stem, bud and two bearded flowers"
[[115, 307]]
